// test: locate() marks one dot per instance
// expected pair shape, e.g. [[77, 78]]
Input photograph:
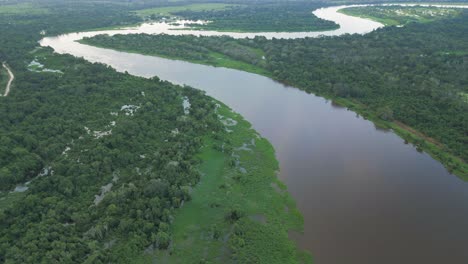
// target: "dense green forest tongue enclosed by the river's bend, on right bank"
[[408, 78]]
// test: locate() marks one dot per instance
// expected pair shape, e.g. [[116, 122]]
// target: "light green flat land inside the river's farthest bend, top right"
[[400, 15]]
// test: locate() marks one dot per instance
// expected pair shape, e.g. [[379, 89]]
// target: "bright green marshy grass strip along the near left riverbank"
[[240, 212]]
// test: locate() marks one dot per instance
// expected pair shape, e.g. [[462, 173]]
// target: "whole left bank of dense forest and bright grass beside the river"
[[104, 162]]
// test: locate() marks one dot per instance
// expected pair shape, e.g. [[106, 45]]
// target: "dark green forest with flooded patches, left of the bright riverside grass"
[[84, 133]]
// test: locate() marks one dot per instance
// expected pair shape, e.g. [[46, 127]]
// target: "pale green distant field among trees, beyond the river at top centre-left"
[[168, 11]]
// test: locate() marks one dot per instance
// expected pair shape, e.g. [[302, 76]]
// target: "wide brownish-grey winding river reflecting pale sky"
[[366, 196]]
